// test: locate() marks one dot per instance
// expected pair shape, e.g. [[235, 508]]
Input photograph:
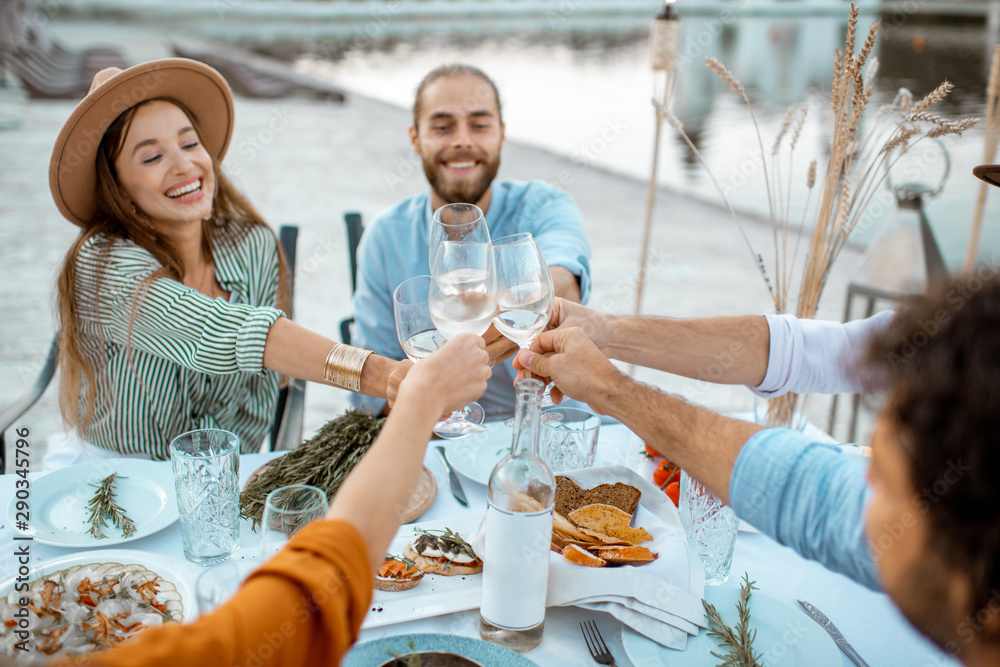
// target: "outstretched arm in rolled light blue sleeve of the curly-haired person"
[[803, 494]]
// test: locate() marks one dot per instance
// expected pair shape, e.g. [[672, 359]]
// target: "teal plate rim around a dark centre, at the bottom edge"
[[378, 651]]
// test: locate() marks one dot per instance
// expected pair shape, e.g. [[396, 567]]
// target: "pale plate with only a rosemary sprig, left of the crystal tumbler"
[[58, 503]]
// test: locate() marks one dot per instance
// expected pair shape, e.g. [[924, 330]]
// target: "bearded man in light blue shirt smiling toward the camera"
[[458, 132]]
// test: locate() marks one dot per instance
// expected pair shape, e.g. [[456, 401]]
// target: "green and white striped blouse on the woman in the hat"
[[189, 361]]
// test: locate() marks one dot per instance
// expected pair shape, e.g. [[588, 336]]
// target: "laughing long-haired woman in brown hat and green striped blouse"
[[170, 299]]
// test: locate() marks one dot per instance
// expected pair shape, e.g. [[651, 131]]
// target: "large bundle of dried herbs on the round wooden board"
[[323, 461]]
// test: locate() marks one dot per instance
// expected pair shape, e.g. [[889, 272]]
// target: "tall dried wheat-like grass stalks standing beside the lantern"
[[856, 168]]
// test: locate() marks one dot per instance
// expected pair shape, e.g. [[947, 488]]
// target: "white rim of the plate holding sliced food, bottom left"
[[178, 572]]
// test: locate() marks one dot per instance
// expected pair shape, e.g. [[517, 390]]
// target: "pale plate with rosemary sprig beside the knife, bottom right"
[[786, 637]]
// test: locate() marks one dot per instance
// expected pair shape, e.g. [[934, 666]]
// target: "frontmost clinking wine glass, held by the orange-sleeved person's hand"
[[463, 298]]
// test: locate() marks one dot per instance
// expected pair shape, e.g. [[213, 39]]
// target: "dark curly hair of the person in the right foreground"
[[941, 358]]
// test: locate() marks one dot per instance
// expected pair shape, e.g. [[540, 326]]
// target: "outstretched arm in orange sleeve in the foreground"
[[305, 605]]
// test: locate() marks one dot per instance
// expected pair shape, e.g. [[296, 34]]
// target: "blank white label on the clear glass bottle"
[[516, 567]]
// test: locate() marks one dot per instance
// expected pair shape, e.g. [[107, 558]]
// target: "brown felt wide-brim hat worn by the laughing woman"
[[73, 167]]
